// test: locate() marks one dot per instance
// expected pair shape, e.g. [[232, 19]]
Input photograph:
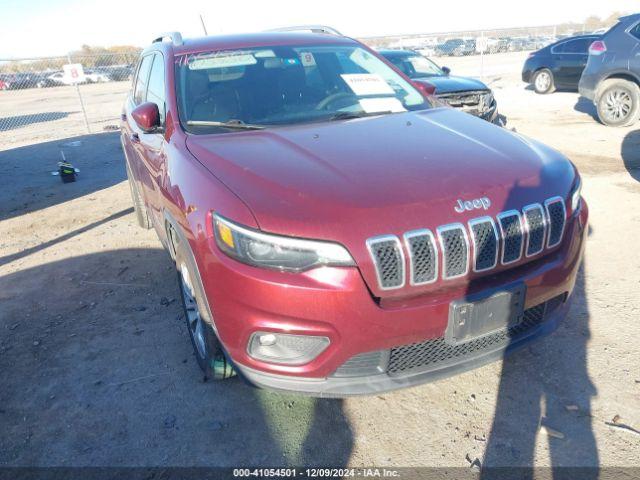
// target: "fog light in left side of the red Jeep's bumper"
[[286, 348]]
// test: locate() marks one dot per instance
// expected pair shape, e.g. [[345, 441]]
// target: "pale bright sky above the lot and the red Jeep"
[[33, 28]]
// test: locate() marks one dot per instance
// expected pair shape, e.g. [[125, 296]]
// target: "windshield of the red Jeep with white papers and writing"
[[284, 85]]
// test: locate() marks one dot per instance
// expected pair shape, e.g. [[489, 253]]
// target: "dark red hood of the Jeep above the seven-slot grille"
[[346, 181]]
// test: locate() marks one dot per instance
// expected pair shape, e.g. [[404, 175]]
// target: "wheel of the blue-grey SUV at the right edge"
[[618, 102]]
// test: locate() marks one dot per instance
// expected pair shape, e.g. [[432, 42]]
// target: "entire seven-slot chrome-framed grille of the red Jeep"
[[502, 239]]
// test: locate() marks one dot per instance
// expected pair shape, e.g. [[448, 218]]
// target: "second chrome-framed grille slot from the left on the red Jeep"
[[423, 257]]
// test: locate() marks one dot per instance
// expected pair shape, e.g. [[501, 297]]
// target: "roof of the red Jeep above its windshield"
[[227, 42]]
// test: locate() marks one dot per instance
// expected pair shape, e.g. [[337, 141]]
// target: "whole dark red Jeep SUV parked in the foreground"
[[336, 232]]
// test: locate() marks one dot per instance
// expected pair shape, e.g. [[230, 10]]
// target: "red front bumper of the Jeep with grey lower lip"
[[335, 303]]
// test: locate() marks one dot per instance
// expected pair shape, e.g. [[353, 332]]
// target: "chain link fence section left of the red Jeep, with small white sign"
[[57, 97]]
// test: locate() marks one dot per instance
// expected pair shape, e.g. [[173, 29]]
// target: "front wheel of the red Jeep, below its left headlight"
[[207, 349]]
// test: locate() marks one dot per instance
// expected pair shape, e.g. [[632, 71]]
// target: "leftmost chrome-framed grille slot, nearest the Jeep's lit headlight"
[[387, 256]]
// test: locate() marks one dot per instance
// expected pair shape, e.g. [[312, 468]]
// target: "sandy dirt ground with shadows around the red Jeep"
[[96, 364]]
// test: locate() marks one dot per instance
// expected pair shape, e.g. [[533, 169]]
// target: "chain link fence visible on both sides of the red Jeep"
[[58, 97]]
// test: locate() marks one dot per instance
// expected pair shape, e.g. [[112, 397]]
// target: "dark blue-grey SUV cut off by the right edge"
[[612, 76]]
